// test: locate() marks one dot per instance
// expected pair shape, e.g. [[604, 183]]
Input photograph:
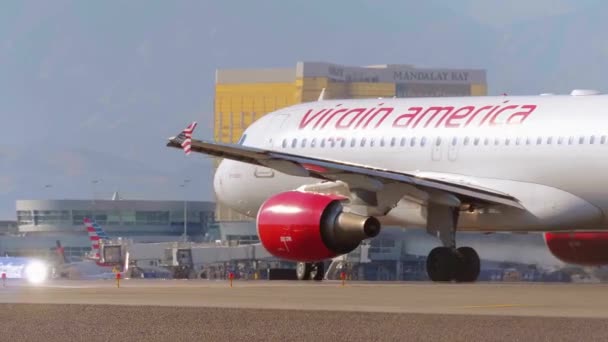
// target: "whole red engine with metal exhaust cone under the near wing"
[[309, 227]]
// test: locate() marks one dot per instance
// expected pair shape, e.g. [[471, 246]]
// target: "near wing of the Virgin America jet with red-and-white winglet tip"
[[332, 170]]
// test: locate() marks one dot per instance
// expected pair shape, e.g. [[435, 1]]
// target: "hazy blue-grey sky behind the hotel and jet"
[[92, 89]]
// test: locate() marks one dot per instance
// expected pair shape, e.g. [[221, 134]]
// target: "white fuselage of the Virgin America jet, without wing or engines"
[[547, 151]]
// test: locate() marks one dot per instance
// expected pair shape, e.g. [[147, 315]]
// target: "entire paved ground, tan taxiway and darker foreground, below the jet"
[[286, 311]]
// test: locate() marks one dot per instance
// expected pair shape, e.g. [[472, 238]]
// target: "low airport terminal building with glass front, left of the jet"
[[40, 223]]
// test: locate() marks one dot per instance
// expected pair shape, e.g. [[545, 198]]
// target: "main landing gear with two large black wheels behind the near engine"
[[449, 263]]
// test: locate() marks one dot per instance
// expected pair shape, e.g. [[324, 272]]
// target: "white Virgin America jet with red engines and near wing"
[[321, 177]]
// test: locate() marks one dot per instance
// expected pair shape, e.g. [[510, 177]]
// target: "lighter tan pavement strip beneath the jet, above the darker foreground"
[[522, 299]]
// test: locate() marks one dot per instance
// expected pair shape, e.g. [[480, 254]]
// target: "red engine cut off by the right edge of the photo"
[[580, 248]]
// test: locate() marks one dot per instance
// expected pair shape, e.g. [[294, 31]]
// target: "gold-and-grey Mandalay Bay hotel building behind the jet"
[[244, 95]]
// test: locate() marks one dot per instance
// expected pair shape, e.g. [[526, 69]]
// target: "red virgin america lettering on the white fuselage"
[[361, 118]]
